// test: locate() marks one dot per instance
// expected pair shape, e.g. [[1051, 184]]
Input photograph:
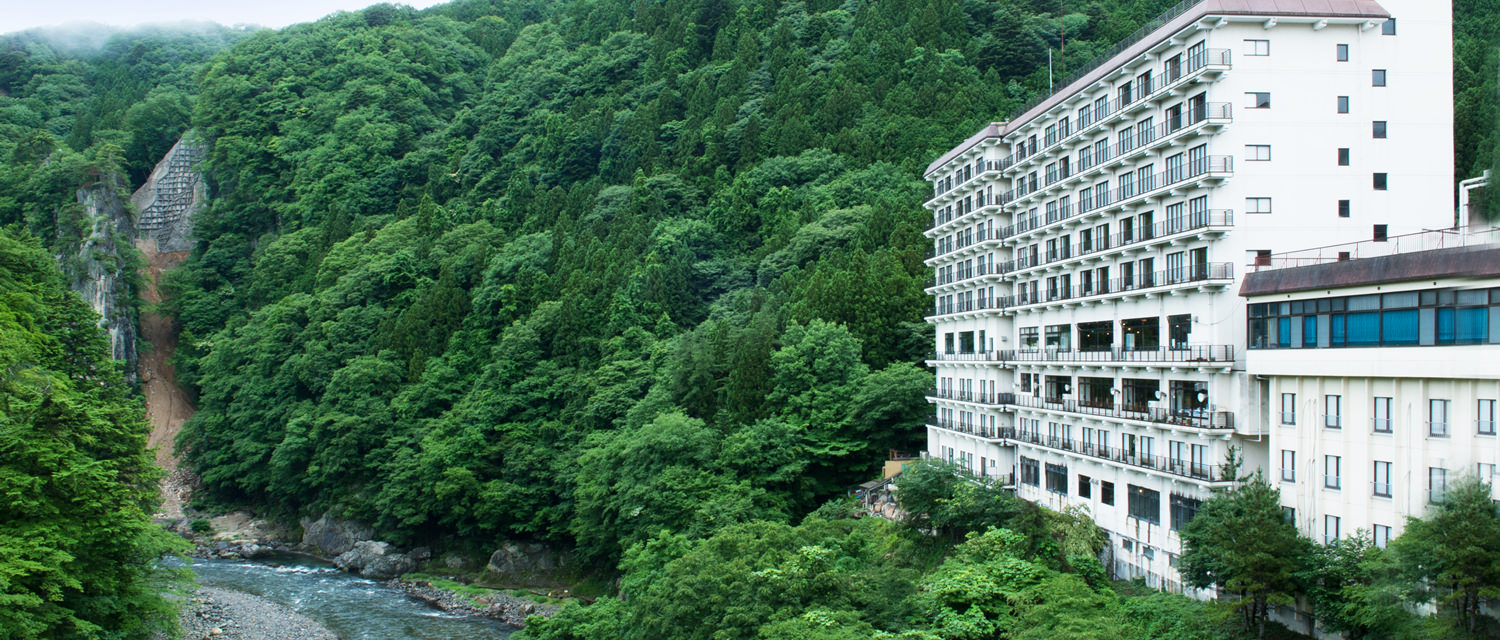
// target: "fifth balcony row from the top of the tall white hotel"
[[1199, 275]]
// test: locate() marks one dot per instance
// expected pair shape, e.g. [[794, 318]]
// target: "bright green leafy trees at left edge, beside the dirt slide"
[[79, 552]]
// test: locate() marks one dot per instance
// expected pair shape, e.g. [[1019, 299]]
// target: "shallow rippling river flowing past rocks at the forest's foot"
[[347, 605]]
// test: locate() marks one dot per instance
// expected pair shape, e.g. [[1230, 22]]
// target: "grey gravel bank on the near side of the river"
[[232, 615]]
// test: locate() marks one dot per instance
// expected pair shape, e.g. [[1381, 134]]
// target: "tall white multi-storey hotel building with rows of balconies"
[[1088, 254]]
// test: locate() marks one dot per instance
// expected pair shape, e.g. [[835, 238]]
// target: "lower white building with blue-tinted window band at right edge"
[[1381, 380]]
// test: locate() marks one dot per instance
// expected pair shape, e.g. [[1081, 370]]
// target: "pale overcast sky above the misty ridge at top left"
[[26, 14]]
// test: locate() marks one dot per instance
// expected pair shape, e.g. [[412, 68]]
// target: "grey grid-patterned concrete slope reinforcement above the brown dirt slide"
[[170, 199]]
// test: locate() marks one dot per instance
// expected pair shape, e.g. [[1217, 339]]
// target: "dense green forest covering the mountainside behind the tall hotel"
[[641, 280]]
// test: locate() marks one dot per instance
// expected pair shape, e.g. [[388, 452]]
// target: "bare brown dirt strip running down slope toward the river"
[[167, 405]]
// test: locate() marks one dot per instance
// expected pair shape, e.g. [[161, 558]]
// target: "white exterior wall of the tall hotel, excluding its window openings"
[[1303, 179]]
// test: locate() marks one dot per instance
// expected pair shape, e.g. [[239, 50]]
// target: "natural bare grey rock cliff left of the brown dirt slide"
[[98, 269]]
